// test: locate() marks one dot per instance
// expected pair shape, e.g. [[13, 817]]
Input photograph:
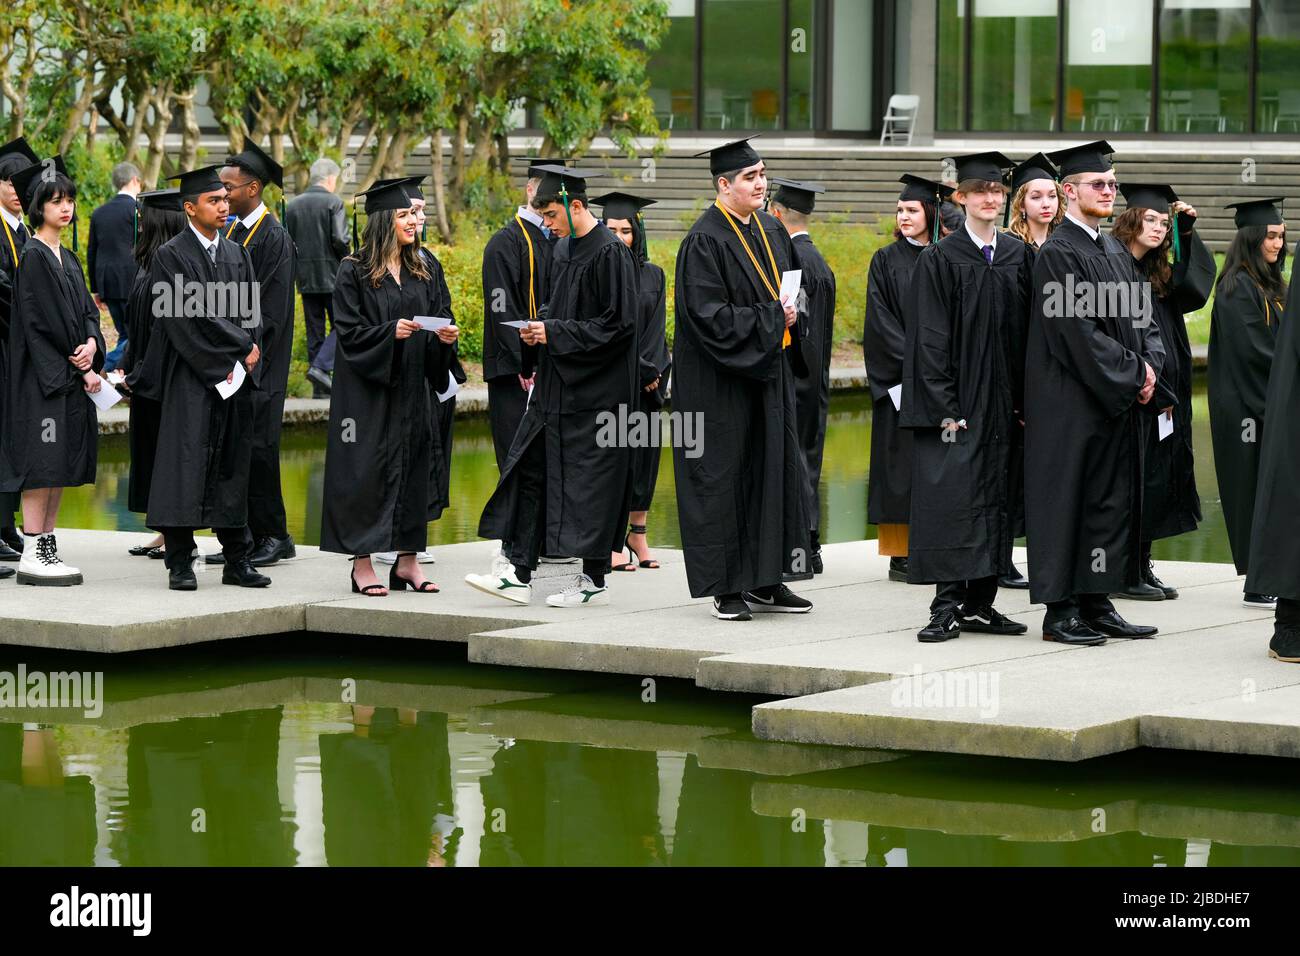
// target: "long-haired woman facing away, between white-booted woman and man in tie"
[[161, 218]]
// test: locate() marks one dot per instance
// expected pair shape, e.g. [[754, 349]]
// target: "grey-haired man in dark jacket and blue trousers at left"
[[110, 254]]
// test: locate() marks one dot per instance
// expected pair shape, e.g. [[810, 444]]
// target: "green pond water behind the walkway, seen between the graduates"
[[844, 487]]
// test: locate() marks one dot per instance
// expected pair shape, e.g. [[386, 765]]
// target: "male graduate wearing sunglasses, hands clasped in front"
[[1093, 365]]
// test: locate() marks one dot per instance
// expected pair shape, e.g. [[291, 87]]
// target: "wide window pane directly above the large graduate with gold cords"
[[743, 64]]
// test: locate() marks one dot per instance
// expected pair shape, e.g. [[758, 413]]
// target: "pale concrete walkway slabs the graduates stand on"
[[852, 673]]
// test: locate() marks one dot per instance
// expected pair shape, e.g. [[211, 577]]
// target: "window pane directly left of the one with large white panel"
[[1013, 66]]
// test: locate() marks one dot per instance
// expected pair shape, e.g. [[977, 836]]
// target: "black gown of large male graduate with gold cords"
[[742, 503]]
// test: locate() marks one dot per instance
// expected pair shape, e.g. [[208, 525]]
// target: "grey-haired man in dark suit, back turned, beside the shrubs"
[[319, 227]]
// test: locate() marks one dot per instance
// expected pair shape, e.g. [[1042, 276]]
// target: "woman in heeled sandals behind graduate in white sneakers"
[[623, 218]]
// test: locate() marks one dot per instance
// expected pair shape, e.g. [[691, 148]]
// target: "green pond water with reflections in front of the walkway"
[[443, 764]]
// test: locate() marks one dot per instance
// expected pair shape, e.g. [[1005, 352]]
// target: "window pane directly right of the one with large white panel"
[[1204, 66]]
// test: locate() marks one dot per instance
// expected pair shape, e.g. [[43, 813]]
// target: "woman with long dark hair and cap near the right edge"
[[1249, 302]]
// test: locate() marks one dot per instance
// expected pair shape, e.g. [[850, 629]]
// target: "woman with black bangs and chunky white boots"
[[55, 356]]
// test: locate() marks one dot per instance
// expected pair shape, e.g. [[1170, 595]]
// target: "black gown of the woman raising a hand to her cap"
[[1171, 503]]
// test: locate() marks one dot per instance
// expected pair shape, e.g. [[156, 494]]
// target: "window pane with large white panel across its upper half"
[[1108, 66]]
